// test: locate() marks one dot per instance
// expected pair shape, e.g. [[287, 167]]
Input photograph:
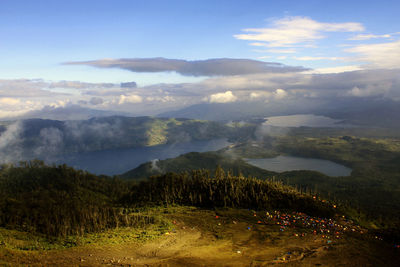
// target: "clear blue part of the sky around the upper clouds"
[[37, 36]]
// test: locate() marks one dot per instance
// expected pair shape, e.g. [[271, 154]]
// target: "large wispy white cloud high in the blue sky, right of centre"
[[295, 31]]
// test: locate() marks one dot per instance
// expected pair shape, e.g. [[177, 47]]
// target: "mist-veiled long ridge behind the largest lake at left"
[[52, 140]]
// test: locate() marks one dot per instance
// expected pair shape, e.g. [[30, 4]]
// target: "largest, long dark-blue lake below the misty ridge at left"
[[118, 161]]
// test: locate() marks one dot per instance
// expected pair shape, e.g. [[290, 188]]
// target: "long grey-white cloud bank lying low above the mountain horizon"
[[79, 100]]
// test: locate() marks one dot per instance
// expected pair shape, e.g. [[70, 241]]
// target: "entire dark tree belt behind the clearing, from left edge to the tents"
[[61, 201]]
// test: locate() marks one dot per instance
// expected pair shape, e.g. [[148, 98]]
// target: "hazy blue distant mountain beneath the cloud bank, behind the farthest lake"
[[368, 112]]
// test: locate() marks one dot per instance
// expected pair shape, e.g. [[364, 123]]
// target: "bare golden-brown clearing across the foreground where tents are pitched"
[[201, 239]]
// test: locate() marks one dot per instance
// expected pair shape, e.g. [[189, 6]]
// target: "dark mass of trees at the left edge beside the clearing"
[[61, 201]]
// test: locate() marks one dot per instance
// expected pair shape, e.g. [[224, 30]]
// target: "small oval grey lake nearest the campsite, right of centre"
[[289, 163]]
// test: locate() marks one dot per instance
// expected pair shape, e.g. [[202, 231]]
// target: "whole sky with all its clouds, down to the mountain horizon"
[[62, 53]]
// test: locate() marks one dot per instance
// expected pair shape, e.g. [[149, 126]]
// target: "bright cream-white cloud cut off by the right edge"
[[382, 55]]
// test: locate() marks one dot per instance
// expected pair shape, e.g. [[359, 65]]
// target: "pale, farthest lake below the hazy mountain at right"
[[308, 120]]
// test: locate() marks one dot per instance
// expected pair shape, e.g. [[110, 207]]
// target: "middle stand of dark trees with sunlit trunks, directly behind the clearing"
[[200, 189]]
